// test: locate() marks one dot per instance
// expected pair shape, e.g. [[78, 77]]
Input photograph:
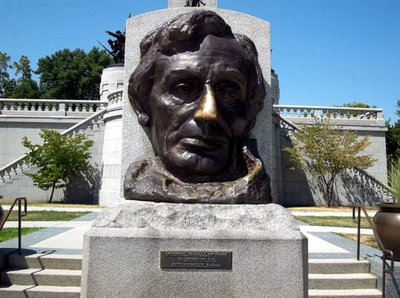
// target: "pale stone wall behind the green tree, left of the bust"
[[84, 188]]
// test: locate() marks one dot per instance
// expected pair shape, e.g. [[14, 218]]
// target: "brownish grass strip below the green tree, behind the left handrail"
[[47, 216]]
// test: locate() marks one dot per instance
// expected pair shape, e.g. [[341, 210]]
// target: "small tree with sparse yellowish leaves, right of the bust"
[[325, 151]]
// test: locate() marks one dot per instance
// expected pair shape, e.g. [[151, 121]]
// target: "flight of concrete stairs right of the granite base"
[[341, 278]]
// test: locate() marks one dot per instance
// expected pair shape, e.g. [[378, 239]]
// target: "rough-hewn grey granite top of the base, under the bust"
[[270, 218]]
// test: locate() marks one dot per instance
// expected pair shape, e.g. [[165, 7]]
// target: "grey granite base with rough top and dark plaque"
[[144, 249]]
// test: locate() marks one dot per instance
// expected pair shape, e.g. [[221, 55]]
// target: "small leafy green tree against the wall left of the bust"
[[58, 158]]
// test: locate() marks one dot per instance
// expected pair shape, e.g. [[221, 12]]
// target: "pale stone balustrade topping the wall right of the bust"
[[337, 113]]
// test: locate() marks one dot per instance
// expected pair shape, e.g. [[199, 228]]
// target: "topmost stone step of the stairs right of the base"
[[338, 266]]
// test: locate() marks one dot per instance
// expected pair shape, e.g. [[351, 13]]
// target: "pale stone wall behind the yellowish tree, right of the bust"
[[300, 189]]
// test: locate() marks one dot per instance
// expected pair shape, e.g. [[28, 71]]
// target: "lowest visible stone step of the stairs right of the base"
[[355, 293]]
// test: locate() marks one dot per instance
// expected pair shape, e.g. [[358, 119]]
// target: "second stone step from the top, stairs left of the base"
[[42, 277]]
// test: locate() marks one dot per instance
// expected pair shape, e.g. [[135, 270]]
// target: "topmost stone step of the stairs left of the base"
[[51, 261]]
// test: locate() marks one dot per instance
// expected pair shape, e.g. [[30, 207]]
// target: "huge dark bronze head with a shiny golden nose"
[[197, 91]]
